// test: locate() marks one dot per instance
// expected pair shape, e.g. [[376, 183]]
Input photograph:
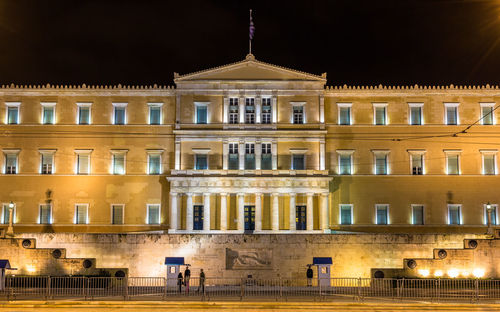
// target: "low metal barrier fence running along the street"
[[158, 288]]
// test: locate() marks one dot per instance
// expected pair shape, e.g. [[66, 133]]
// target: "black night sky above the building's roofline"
[[371, 42]]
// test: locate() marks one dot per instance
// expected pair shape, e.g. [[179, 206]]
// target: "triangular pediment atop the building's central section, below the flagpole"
[[249, 69]]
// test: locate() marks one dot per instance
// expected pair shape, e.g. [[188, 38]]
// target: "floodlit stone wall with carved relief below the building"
[[263, 256]]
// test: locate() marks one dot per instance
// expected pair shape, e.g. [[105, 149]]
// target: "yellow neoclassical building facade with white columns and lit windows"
[[249, 147]]
